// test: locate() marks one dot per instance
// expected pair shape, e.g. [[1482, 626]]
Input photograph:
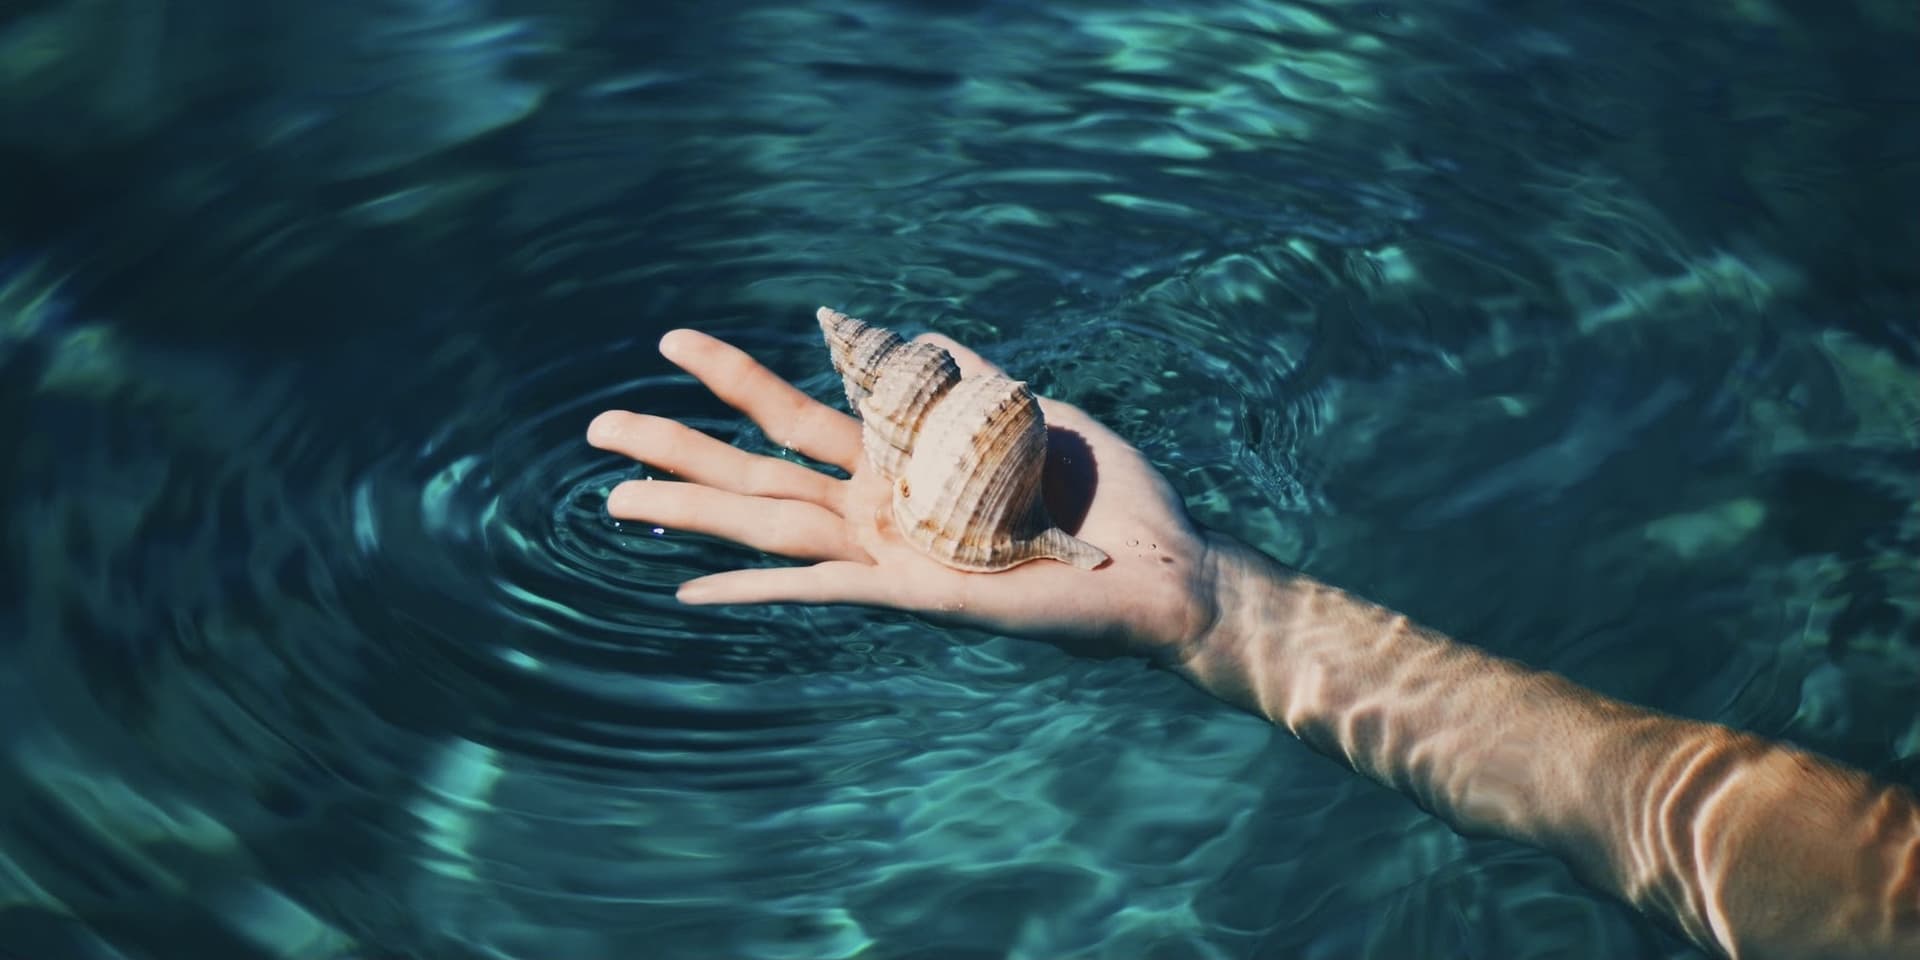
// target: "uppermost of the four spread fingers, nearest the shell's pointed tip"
[[788, 416]]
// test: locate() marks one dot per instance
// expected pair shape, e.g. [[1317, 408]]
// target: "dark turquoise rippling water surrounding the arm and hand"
[[1585, 333]]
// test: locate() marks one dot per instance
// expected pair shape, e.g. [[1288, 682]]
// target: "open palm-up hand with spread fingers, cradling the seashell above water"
[[1155, 598]]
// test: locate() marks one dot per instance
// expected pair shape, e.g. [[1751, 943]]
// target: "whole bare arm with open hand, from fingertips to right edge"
[[1750, 848]]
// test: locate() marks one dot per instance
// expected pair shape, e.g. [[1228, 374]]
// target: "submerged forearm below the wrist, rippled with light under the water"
[[1752, 848]]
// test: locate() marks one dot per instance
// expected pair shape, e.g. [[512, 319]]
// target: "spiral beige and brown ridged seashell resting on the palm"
[[965, 456]]
